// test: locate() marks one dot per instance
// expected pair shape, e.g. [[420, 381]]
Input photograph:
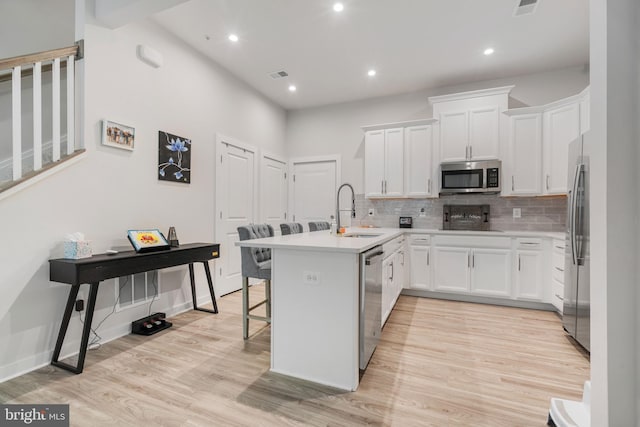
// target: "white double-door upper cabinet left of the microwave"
[[398, 159]]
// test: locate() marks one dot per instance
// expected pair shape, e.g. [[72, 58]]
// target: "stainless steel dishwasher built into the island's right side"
[[370, 302]]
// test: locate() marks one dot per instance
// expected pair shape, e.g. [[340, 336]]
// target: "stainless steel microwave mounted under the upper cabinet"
[[481, 176]]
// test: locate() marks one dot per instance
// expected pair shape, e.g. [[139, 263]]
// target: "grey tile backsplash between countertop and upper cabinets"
[[537, 213]]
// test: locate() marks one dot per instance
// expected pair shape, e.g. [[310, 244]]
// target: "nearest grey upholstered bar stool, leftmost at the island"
[[256, 263]]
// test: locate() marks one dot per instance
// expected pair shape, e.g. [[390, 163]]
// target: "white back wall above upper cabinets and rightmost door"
[[336, 129]]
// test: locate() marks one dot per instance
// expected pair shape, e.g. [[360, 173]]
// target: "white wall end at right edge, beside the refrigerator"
[[615, 199]]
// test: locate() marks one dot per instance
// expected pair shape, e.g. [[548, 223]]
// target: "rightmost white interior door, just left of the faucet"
[[313, 195]]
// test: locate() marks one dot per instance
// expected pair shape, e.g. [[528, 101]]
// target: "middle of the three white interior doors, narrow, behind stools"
[[273, 192]]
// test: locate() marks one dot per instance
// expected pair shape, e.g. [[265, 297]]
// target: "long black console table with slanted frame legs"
[[92, 271]]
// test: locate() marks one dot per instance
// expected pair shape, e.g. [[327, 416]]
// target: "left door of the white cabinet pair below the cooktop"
[[451, 269]]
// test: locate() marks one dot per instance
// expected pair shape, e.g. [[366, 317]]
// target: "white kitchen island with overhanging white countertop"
[[315, 303]]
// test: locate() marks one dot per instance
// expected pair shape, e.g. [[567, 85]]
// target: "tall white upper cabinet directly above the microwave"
[[469, 123]]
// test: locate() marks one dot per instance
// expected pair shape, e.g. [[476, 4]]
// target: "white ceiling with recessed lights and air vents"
[[412, 44]]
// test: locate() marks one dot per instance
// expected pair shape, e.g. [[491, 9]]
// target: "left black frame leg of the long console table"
[[86, 330]]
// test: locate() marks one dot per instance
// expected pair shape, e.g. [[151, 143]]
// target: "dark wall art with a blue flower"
[[174, 158]]
